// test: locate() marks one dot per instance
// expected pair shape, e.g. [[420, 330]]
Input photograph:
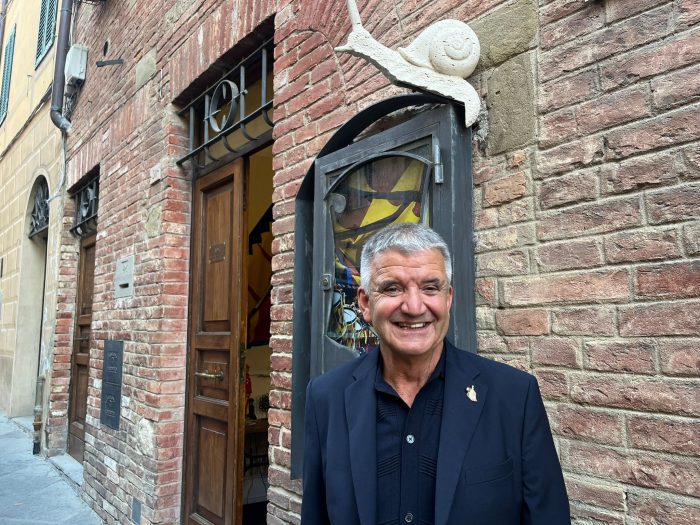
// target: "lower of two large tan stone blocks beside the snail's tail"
[[511, 105]]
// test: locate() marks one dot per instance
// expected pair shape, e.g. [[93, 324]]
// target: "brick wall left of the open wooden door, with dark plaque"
[[125, 123]]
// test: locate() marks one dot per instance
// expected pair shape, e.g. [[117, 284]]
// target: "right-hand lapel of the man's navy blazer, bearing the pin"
[[459, 419]]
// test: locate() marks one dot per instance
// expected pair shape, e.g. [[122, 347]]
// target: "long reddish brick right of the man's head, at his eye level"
[[574, 288]]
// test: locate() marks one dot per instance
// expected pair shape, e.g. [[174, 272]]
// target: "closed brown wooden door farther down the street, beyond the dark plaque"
[[80, 363]]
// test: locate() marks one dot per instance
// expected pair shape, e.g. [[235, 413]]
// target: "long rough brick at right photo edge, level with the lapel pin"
[[649, 395]]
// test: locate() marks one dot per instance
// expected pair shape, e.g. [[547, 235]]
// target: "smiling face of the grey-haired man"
[[408, 302]]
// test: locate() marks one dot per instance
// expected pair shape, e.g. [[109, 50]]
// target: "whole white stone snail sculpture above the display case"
[[437, 61]]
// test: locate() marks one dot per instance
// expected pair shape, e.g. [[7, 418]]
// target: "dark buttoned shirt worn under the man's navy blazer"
[[407, 446]]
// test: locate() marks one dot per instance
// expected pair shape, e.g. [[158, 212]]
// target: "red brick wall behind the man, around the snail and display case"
[[586, 172]]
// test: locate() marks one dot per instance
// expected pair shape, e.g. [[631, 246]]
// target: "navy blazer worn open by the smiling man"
[[497, 464]]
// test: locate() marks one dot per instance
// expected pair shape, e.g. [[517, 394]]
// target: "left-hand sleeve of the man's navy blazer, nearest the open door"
[[313, 505]]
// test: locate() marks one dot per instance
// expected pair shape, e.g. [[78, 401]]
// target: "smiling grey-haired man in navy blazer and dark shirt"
[[420, 431]]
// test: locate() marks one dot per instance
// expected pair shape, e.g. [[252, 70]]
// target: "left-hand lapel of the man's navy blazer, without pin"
[[360, 409]]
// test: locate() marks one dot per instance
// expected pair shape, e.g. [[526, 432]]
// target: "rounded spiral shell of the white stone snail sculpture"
[[448, 46]]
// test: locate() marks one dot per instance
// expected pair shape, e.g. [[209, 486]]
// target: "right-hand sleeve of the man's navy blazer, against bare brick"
[[545, 501]]
